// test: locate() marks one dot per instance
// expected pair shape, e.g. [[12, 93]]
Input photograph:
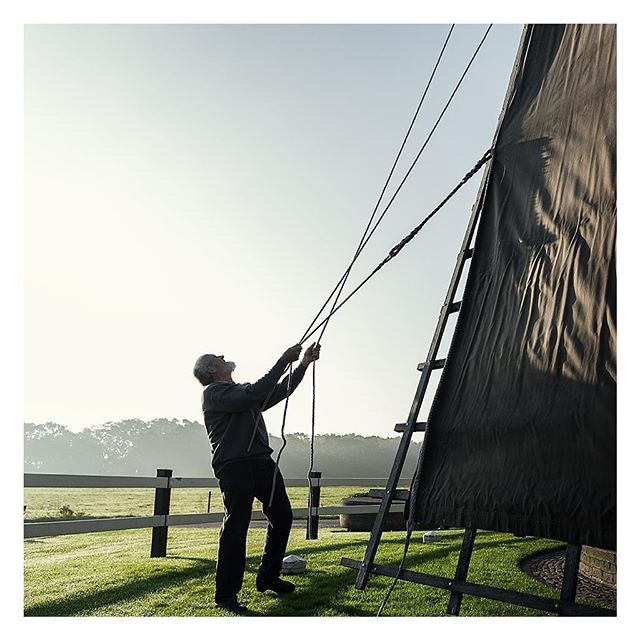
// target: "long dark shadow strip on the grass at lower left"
[[86, 604]]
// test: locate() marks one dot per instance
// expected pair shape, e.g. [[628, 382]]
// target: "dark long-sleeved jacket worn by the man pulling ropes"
[[231, 410]]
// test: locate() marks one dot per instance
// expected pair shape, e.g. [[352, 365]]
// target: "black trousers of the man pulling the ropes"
[[241, 482]]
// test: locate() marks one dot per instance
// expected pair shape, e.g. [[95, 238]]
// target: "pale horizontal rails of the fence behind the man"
[[160, 522]]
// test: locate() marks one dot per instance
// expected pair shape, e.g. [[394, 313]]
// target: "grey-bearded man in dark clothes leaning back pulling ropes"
[[241, 460]]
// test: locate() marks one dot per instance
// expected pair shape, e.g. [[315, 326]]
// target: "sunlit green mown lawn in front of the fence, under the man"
[[111, 574]]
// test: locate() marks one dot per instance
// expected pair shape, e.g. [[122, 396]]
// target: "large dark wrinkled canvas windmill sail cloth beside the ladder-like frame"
[[521, 436]]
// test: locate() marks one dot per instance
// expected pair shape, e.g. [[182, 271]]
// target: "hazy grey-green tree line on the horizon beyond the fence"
[[138, 447]]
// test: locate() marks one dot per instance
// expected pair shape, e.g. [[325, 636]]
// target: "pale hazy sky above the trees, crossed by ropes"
[[201, 188]]
